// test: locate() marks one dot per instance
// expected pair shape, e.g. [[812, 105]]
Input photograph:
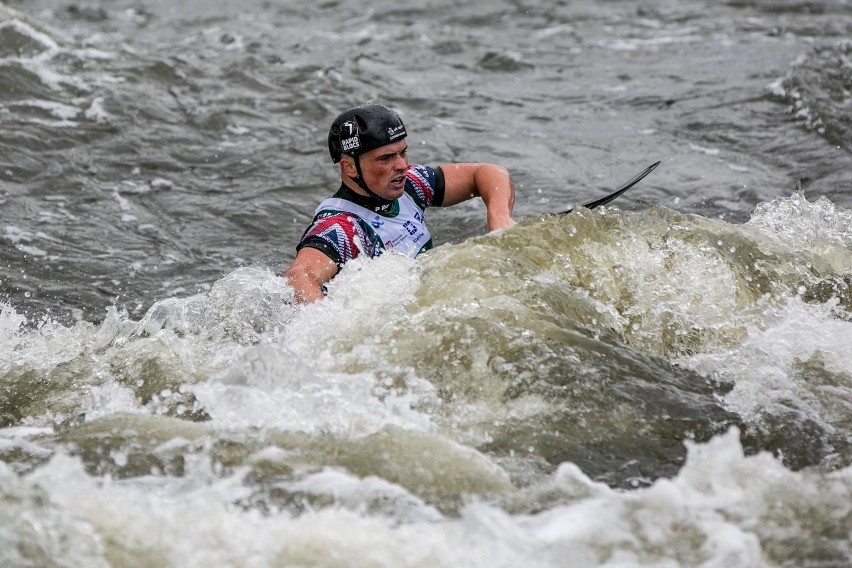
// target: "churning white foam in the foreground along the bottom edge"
[[723, 509]]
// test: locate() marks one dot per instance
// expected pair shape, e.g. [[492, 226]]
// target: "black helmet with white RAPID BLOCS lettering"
[[363, 128]]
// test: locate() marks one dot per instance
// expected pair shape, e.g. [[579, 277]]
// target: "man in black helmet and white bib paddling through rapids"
[[382, 198]]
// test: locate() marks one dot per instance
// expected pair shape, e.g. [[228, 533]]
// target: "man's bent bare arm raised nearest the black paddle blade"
[[490, 182]]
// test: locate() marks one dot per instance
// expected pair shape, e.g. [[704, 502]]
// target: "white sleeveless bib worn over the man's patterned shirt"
[[402, 228]]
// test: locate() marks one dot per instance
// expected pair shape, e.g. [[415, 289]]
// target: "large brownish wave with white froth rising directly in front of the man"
[[620, 331]]
